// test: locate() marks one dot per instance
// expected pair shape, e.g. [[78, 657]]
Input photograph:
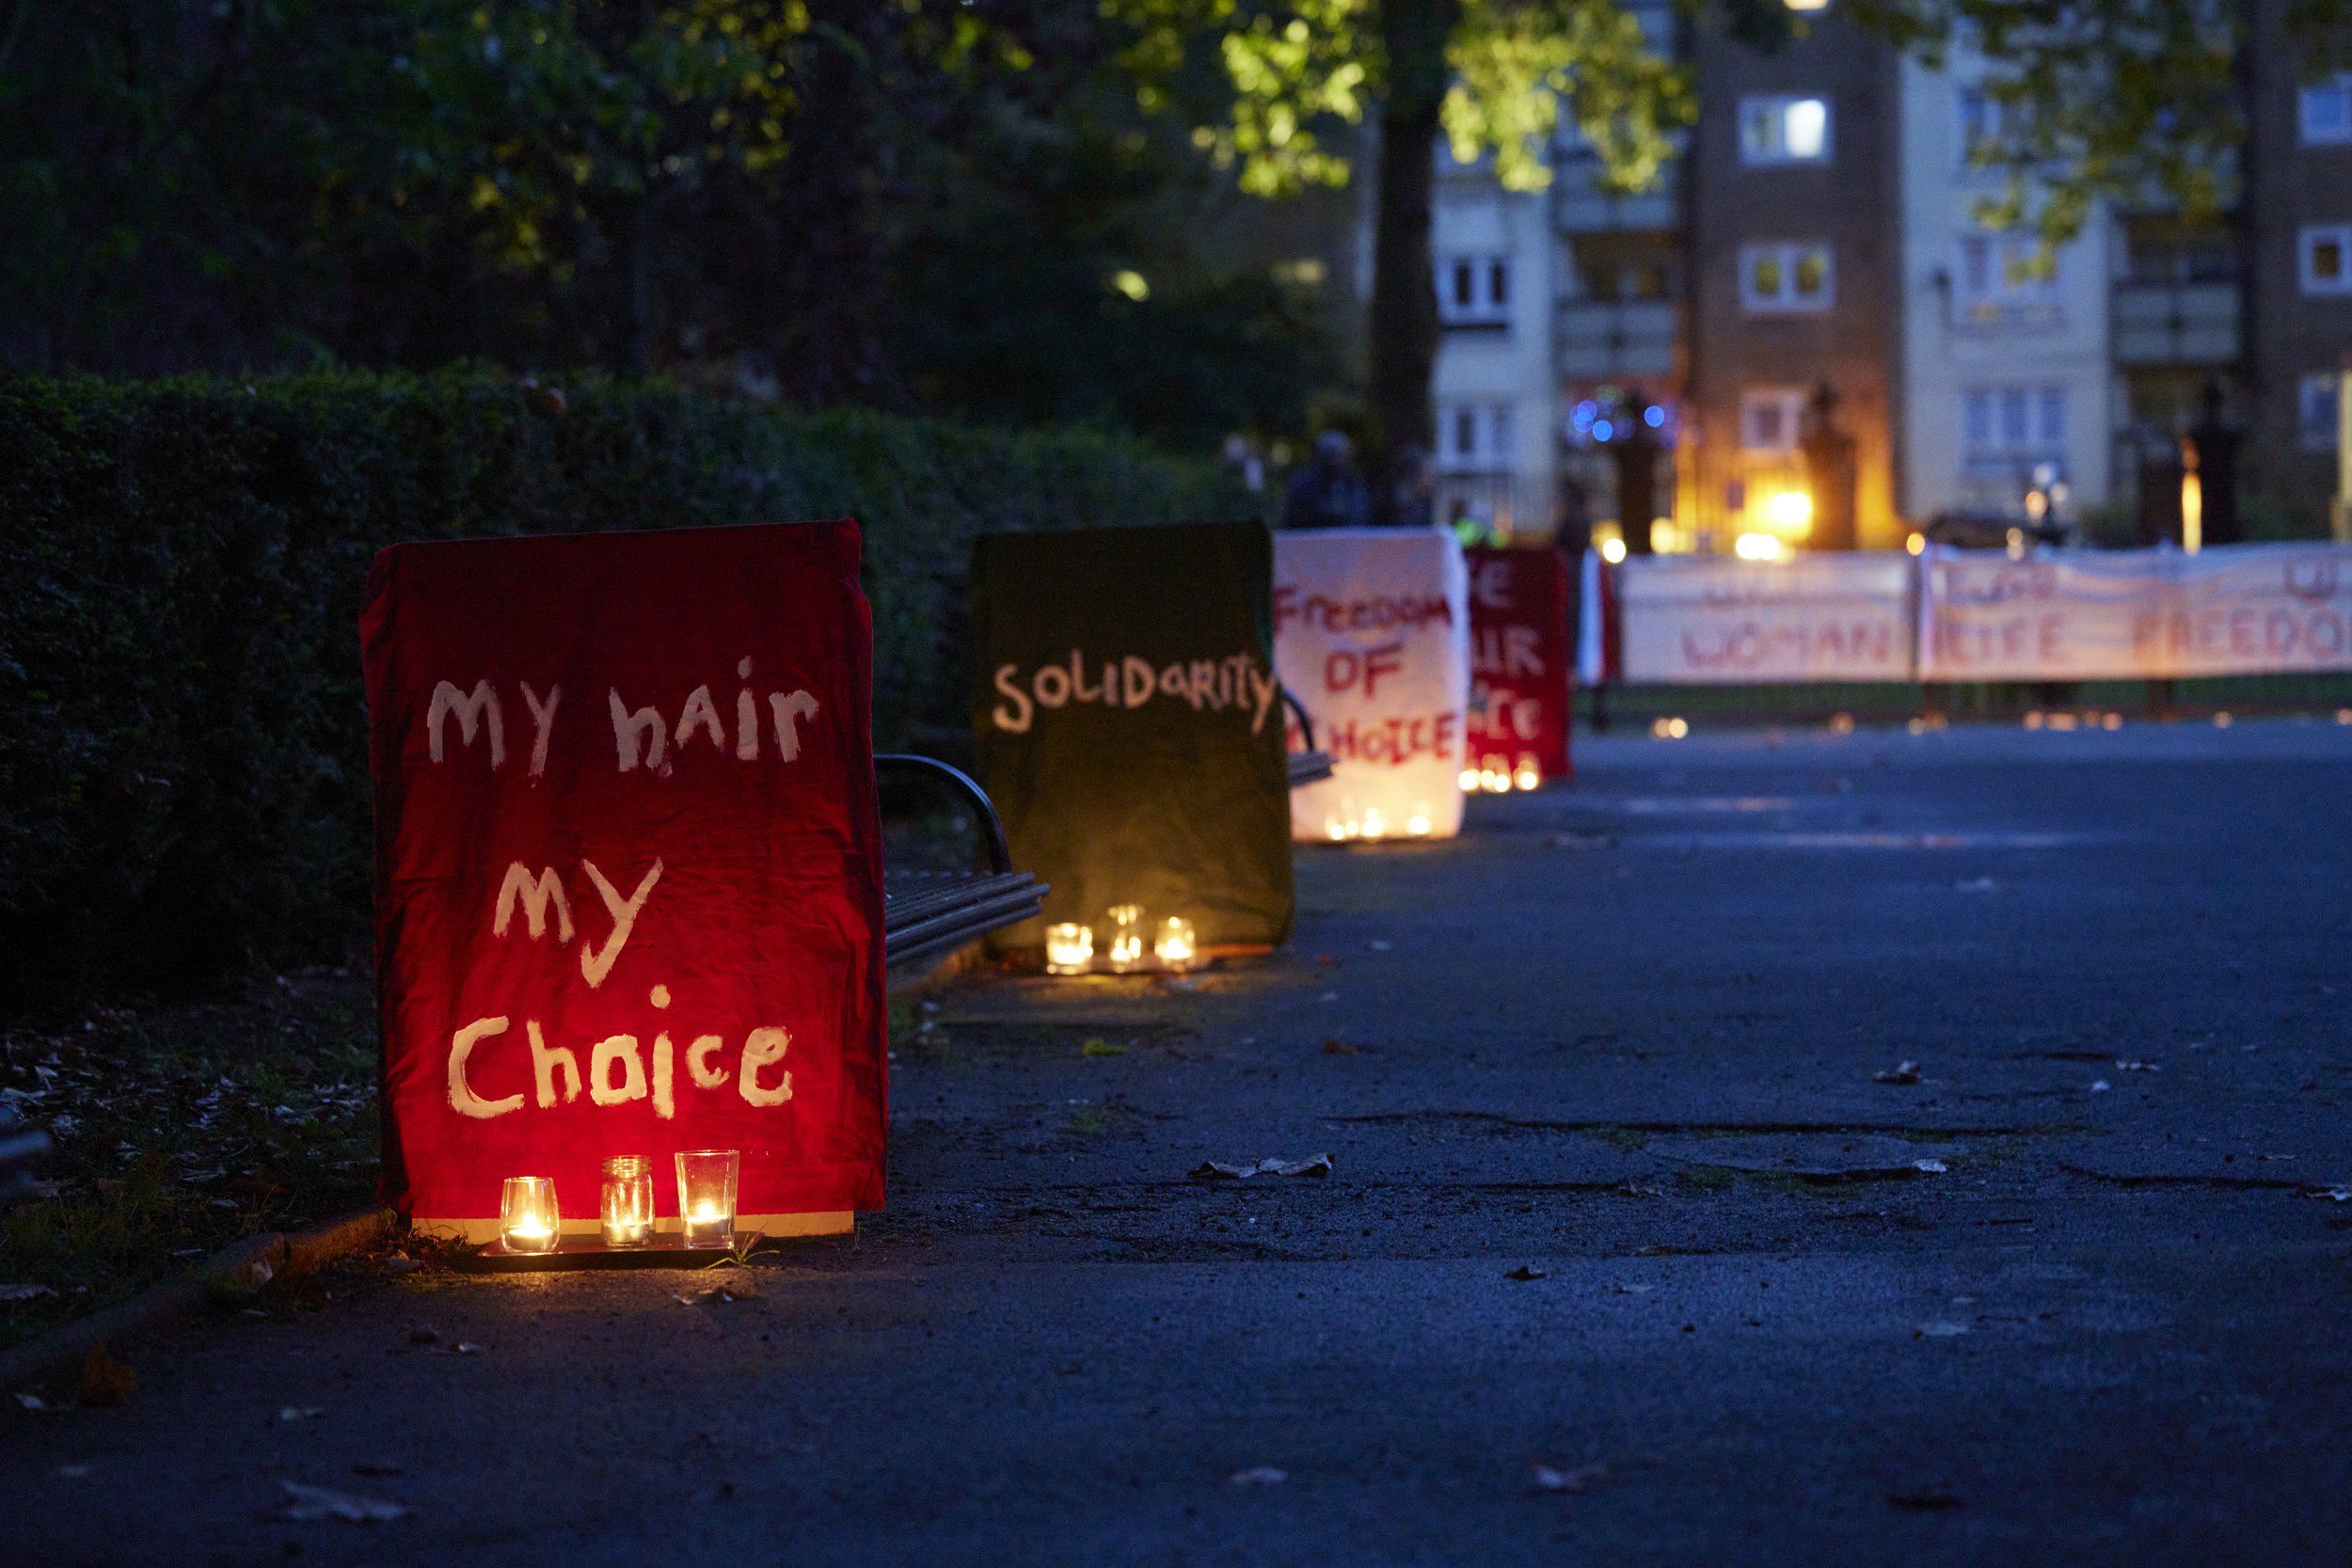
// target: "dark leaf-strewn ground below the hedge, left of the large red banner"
[[180, 1132]]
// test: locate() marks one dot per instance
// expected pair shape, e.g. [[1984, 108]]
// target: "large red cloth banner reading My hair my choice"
[[629, 866]]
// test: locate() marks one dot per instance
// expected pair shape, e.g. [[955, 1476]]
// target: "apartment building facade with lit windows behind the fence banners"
[[1845, 354]]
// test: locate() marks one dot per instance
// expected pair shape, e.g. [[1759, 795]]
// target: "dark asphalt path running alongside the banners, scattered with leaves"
[[1626, 1252]]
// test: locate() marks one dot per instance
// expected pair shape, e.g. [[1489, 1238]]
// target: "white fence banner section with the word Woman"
[[1718, 622]]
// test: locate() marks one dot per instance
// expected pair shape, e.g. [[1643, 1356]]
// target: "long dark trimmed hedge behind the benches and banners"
[[182, 730]]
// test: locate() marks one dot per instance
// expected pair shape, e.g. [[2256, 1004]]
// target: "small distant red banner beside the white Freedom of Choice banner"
[[1521, 662]]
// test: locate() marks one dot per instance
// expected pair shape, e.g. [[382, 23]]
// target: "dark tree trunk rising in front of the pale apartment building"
[[1403, 283]]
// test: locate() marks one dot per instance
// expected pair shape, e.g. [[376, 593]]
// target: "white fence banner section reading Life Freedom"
[[2134, 615]]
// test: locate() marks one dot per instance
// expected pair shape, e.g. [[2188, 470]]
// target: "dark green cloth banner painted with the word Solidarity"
[[1130, 728]]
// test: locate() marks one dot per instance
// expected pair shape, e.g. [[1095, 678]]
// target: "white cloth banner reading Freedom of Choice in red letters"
[[1372, 634]]
